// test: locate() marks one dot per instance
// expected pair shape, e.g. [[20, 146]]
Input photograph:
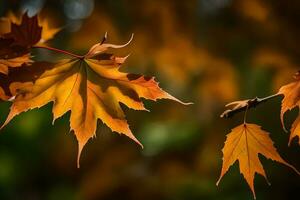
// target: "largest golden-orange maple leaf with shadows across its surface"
[[92, 88]]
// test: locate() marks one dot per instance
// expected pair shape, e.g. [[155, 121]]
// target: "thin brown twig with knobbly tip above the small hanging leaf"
[[251, 103]]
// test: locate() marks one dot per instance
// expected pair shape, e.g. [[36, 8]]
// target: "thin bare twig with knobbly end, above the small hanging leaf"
[[239, 106]]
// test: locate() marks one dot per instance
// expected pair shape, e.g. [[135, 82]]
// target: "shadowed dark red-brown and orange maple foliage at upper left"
[[18, 35]]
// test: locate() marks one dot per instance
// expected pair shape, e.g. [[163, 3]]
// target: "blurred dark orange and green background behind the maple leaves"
[[209, 52]]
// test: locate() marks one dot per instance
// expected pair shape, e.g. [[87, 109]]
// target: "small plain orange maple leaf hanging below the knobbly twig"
[[244, 143]]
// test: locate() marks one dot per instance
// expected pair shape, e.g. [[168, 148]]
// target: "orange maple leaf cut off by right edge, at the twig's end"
[[291, 98]]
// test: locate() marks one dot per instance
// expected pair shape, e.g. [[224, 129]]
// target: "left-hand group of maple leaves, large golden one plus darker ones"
[[90, 86]]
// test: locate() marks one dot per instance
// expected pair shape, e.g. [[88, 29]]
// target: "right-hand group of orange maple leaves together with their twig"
[[246, 141]]
